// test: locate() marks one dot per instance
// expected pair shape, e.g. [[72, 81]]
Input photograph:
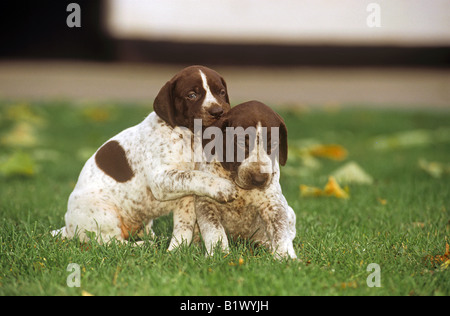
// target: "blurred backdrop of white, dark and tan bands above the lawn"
[[286, 53]]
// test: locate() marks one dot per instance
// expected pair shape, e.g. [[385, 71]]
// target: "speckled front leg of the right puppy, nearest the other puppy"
[[208, 220]]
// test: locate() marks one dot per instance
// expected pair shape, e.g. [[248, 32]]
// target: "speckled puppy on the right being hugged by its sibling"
[[260, 211]]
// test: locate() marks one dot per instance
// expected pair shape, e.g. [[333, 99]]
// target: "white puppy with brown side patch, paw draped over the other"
[[140, 173]]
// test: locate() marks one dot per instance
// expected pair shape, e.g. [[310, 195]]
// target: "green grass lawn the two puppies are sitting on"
[[336, 239]]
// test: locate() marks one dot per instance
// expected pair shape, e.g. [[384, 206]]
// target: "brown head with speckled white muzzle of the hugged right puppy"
[[255, 137]]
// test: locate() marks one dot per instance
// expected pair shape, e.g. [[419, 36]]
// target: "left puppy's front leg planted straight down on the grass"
[[183, 222]]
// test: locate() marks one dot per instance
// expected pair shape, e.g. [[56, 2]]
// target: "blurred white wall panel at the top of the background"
[[403, 22]]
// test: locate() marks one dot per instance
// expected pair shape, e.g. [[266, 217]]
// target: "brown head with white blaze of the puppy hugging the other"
[[196, 92]]
